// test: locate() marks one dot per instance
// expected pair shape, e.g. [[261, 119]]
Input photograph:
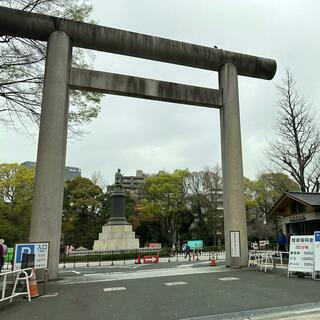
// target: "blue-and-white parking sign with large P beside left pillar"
[[39, 249]]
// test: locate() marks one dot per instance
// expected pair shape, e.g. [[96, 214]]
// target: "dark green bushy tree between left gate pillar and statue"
[[85, 211]]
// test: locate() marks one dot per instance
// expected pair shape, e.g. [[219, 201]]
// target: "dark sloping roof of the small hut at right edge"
[[307, 198]]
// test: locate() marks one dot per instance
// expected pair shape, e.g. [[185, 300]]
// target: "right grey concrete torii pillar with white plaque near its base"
[[235, 227]]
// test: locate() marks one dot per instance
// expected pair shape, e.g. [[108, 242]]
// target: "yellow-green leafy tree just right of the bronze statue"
[[166, 199]]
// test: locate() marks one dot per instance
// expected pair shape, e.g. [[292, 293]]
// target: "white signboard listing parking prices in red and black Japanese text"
[[301, 254]]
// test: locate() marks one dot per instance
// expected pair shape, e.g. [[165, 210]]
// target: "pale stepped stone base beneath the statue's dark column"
[[116, 237]]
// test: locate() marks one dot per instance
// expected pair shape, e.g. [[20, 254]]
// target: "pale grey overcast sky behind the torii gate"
[[135, 134]]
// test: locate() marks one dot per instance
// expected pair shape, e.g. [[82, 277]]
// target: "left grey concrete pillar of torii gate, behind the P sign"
[[48, 194]]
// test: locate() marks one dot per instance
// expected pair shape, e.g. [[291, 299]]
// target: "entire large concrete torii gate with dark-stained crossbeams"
[[61, 35]]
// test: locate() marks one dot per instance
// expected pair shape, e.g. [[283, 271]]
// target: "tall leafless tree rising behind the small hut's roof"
[[296, 148]]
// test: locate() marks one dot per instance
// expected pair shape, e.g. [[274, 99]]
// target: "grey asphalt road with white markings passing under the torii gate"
[[167, 291]]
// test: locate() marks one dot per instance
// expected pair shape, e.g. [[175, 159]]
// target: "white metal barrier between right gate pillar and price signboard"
[[264, 259]]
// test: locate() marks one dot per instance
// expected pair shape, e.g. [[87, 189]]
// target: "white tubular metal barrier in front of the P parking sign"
[[18, 276]]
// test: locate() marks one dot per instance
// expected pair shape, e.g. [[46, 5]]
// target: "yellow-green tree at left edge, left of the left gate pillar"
[[16, 189]]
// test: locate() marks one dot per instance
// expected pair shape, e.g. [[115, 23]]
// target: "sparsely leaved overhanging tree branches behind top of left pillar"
[[22, 68]]
